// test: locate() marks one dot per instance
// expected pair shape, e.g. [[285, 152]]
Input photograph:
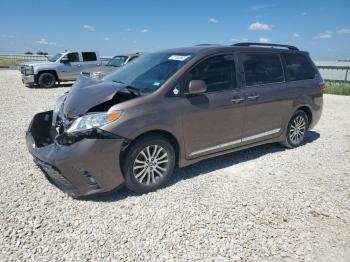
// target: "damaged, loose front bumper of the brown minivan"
[[83, 168]]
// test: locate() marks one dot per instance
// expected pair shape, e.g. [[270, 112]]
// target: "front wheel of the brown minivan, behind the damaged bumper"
[[148, 164]]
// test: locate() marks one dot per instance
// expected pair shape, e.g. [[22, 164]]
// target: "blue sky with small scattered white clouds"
[[116, 27]]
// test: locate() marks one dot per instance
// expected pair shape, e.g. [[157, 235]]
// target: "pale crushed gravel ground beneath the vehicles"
[[261, 204]]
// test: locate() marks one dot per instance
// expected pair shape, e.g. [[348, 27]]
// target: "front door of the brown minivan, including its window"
[[213, 121]]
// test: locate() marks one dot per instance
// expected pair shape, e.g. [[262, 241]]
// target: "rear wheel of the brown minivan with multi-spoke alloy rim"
[[296, 130]]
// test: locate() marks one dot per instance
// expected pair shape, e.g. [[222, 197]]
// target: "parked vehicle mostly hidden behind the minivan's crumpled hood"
[[114, 63]]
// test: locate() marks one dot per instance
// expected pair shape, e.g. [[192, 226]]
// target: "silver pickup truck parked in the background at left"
[[59, 68]]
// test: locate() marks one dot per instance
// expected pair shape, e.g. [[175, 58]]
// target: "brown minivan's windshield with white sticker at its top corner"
[[150, 71]]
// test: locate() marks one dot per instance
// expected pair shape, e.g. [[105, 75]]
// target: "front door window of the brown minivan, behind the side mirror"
[[217, 72]]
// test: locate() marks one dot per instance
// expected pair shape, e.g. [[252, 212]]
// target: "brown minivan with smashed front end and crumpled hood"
[[174, 108]]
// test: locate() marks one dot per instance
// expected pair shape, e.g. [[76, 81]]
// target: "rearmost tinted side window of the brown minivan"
[[298, 67]]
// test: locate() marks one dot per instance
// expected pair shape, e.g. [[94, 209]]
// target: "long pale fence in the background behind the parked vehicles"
[[337, 71]]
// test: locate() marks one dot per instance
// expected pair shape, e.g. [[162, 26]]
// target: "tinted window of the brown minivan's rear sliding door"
[[261, 68]]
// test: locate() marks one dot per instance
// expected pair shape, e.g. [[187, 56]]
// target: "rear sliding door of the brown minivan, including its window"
[[267, 101]]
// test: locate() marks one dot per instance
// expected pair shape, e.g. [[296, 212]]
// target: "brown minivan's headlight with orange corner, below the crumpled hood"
[[92, 121]]
